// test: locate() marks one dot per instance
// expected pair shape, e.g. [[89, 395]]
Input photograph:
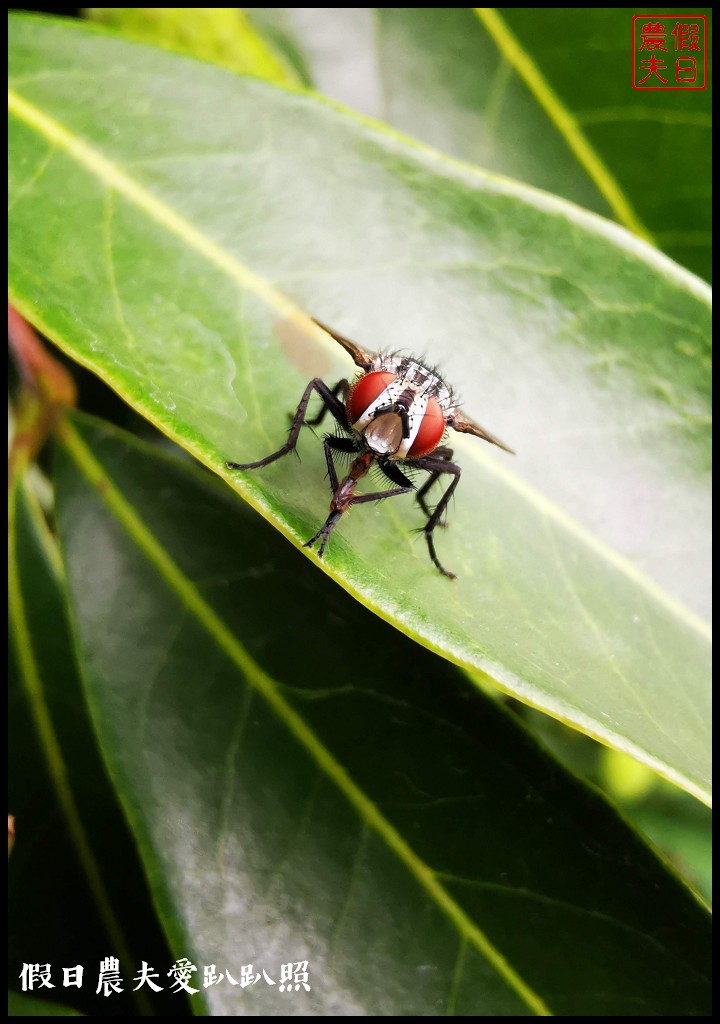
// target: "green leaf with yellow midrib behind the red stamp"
[[541, 95]]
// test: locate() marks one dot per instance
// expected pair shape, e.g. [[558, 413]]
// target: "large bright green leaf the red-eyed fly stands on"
[[161, 217]]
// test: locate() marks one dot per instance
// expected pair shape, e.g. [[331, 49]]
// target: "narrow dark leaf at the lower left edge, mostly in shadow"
[[77, 893]]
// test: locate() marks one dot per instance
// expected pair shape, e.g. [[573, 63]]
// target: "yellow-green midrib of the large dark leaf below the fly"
[[270, 690]]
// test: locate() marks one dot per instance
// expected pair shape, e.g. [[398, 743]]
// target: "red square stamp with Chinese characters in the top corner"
[[670, 52]]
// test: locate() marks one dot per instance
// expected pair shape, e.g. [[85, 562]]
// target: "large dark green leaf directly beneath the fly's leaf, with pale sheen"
[[308, 785]]
